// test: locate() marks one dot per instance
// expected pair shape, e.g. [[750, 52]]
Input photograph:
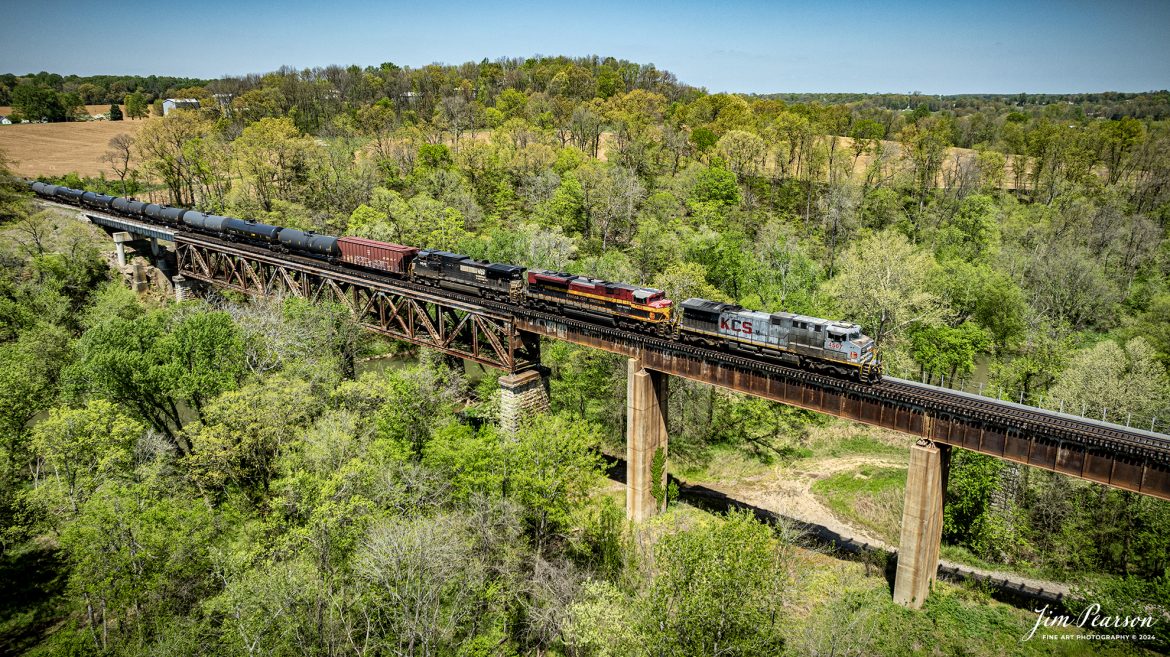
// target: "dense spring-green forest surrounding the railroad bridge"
[[216, 478]]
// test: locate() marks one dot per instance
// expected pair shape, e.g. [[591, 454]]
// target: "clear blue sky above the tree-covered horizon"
[[934, 47]]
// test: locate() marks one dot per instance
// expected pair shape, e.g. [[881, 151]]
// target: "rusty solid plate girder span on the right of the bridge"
[[1089, 453]]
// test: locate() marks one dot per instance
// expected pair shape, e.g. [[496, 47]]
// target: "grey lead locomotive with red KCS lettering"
[[810, 343]]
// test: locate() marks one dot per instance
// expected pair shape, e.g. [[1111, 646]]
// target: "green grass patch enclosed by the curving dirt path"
[[870, 497]]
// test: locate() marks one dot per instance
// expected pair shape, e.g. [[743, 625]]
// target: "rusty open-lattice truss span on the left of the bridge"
[[402, 313]]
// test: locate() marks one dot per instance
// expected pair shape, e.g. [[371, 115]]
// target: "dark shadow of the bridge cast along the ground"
[[876, 559]]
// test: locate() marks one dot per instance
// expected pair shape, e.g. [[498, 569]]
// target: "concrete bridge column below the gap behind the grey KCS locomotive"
[[646, 405]]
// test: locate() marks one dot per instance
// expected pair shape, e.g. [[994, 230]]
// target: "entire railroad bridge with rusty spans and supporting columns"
[[507, 337]]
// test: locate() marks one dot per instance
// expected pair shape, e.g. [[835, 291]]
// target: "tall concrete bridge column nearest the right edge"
[[923, 523]]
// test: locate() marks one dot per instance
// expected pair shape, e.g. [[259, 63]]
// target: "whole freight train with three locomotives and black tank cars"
[[810, 343]]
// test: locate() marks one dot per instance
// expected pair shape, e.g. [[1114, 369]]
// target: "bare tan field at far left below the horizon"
[[57, 149]]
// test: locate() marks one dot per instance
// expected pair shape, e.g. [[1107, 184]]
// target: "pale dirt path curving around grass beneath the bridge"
[[788, 492]]
